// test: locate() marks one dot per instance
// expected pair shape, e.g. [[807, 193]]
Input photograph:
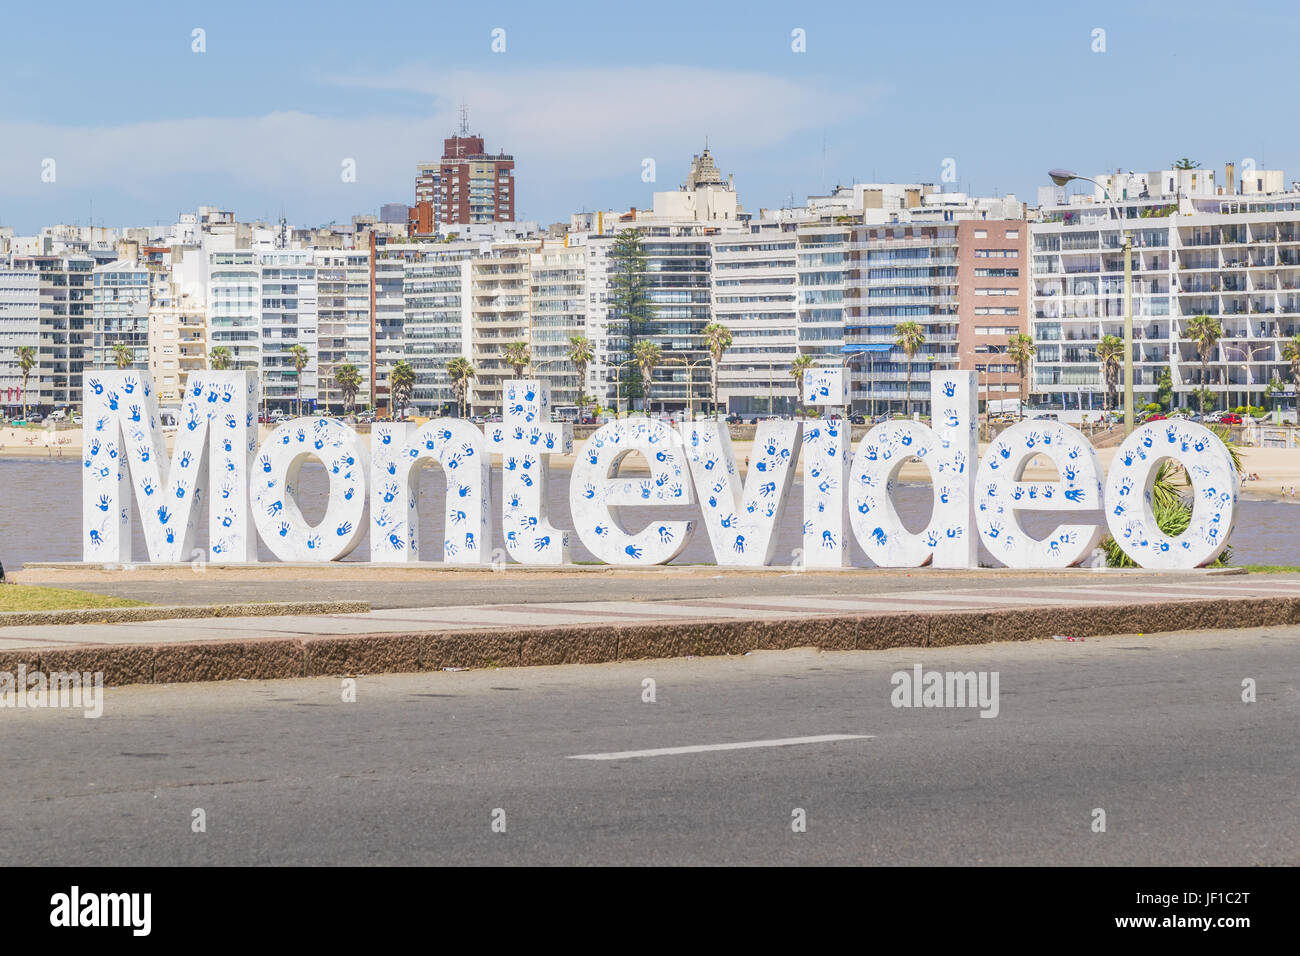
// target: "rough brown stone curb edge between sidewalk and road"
[[266, 659]]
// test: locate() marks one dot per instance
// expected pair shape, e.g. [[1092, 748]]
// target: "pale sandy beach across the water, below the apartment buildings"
[[1277, 469]]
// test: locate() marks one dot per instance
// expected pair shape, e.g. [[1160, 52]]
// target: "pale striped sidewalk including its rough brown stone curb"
[[414, 639]]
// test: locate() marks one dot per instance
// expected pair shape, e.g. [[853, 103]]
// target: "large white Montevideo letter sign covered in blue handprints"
[[249, 491]]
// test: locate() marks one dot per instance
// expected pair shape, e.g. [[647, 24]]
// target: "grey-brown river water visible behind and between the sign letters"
[[41, 518]]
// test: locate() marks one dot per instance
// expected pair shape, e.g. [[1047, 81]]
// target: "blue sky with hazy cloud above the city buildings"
[[135, 127]]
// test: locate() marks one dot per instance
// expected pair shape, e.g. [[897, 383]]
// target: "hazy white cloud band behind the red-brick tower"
[[565, 127]]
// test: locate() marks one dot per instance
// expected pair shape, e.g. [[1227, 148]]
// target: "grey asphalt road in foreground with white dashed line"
[[1152, 730]]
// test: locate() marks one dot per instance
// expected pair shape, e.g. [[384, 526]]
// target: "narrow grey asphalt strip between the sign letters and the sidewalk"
[[540, 589]]
